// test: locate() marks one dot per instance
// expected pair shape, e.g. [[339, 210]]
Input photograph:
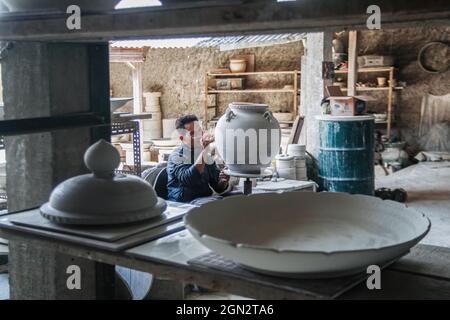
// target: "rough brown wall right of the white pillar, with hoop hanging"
[[404, 45]]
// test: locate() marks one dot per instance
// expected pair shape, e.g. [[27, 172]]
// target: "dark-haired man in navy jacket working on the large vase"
[[192, 174]]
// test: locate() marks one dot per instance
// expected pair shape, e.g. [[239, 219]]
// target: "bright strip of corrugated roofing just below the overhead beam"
[[224, 43]]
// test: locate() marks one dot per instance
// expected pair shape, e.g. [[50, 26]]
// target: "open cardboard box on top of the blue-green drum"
[[341, 105]]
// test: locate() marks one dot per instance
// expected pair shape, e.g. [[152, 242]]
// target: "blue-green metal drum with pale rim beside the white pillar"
[[346, 156]]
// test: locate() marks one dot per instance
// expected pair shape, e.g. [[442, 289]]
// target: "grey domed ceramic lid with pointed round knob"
[[102, 197]]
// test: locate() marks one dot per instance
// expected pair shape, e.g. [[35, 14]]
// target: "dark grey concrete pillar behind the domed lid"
[[39, 80]]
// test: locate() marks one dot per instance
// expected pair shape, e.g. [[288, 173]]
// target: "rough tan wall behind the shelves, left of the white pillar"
[[179, 74]]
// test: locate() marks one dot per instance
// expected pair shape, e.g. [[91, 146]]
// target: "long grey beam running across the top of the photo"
[[250, 17]]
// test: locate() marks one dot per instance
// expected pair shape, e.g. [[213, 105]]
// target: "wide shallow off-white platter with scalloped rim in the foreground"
[[307, 235]]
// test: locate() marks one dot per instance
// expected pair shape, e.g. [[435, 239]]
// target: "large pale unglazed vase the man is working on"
[[247, 137]]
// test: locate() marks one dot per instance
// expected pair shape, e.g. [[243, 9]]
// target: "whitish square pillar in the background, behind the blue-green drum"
[[318, 48]]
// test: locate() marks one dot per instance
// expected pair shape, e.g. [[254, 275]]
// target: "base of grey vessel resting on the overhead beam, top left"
[[85, 5]]
